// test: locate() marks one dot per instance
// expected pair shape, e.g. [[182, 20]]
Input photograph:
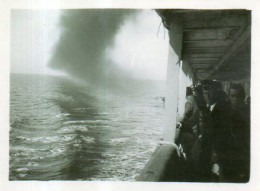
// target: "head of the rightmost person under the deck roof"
[[236, 95]]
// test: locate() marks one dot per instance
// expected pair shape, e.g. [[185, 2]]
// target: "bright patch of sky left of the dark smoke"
[[33, 35]]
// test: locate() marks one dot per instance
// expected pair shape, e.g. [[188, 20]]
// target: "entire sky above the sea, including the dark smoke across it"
[[41, 40]]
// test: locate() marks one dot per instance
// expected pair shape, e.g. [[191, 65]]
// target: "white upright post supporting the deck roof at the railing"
[[173, 73]]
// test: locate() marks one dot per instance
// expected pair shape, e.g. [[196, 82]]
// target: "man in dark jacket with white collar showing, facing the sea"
[[215, 125]]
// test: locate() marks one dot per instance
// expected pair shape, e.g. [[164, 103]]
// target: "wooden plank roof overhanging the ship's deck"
[[216, 43]]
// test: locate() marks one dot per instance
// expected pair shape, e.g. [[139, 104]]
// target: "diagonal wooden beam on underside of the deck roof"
[[233, 50]]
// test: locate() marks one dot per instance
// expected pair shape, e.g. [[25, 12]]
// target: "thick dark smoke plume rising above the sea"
[[86, 36]]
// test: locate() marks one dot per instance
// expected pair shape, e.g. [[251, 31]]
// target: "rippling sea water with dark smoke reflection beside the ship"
[[60, 130]]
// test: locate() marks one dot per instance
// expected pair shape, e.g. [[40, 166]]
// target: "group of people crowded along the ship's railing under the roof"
[[215, 133]]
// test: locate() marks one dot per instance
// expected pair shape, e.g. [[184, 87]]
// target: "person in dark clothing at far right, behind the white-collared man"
[[238, 165]]
